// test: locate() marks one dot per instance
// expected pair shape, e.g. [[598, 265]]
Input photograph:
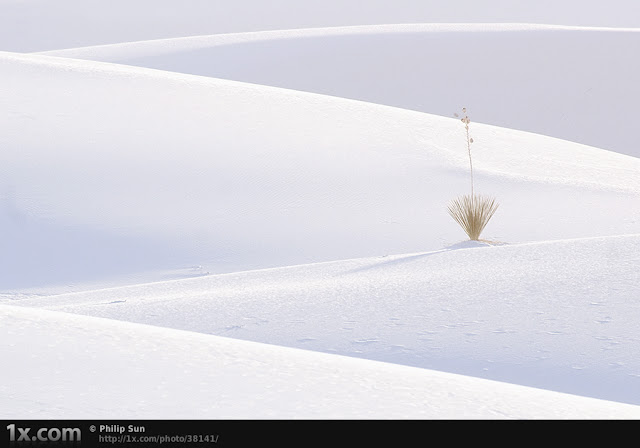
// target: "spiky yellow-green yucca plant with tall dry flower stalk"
[[472, 212]]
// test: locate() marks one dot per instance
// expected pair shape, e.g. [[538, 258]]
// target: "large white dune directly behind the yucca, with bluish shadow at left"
[[152, 170]]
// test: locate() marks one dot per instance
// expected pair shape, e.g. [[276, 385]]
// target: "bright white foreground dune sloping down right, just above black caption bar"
[[136, 371]]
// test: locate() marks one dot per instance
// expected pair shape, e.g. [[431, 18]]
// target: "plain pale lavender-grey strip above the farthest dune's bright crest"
[[38, 25]]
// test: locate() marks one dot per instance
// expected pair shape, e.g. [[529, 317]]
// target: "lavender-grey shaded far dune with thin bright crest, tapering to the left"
[[546, 79]]
